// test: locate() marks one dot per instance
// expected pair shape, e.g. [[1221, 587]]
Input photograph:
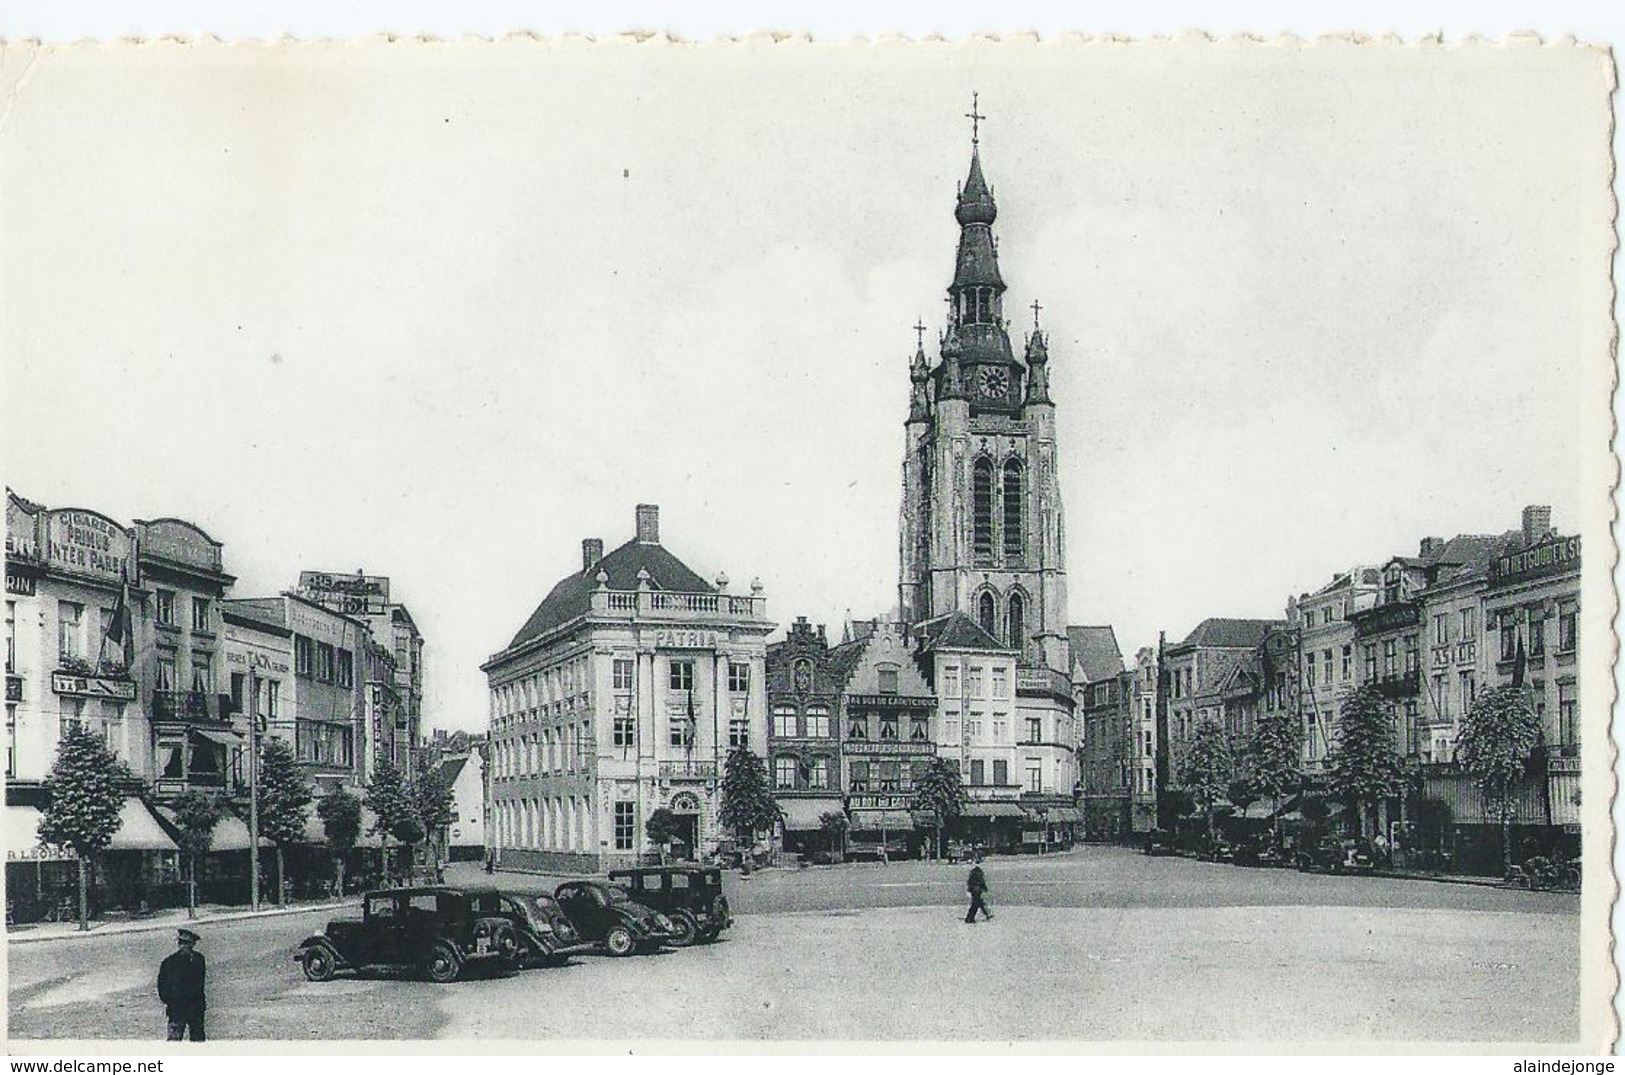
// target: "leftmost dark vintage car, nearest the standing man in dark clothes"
[[438, 931]]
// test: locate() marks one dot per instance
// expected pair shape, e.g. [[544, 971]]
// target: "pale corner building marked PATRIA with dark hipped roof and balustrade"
[[622, 694]]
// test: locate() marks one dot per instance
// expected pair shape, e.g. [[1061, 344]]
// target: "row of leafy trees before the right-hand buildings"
[[1366, 767]]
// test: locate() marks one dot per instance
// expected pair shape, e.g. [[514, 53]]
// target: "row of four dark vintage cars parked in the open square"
[[443, 931]]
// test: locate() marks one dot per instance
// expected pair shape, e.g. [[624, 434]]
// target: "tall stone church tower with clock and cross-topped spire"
[[982, 525]]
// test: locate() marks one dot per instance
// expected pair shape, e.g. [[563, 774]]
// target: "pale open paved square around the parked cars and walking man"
[[1098, 946]]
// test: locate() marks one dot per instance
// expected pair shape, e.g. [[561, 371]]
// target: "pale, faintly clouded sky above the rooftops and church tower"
[[444, 311]]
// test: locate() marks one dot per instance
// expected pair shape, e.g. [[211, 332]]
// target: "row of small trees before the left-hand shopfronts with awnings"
[[87, 788]]
